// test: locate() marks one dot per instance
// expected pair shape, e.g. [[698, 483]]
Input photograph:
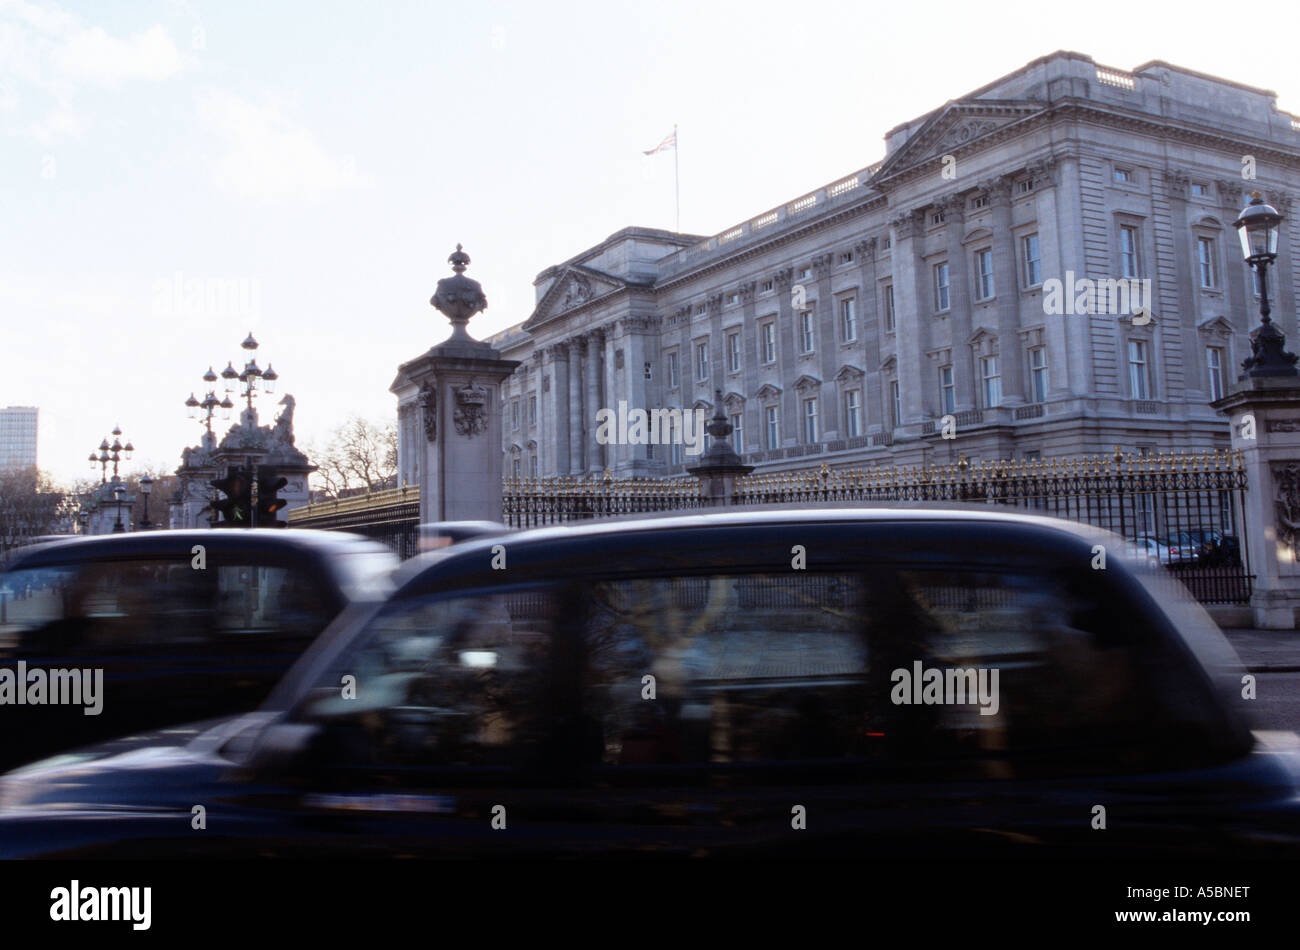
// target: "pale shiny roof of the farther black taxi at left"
[[142, 544]]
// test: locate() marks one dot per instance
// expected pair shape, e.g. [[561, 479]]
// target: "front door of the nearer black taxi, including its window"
[[436, 735]]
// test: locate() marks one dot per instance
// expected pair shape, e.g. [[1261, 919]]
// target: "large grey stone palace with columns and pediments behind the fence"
[[1045, 267]]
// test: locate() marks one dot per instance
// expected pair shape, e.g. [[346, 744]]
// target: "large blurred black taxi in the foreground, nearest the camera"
[[725, 684]]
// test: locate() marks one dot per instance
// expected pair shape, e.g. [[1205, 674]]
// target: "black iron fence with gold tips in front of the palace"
[[1181, 510]]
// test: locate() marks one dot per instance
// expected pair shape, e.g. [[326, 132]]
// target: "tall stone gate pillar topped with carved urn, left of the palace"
[[461, 380]]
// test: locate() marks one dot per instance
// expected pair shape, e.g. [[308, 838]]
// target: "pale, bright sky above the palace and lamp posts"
[[326, 159]]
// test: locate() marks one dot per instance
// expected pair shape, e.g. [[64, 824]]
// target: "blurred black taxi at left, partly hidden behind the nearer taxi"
[[183, 626]]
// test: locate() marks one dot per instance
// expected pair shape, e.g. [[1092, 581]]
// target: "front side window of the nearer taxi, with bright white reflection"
[[441, 682]]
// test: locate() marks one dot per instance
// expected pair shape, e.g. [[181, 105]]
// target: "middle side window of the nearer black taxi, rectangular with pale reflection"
[[731, 670]]
